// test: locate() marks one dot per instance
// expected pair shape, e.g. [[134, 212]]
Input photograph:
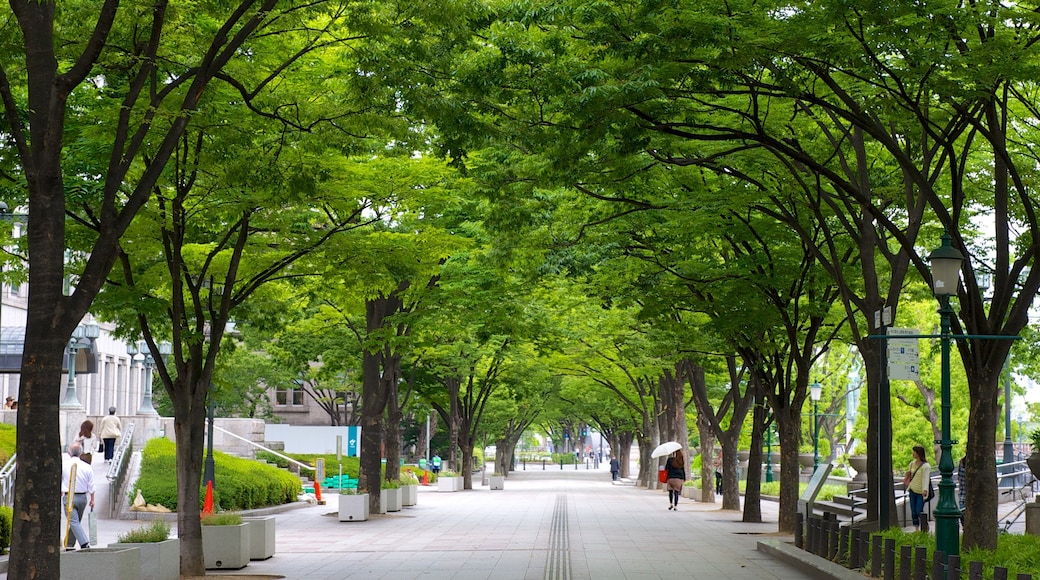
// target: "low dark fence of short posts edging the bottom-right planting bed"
[[853, 548]]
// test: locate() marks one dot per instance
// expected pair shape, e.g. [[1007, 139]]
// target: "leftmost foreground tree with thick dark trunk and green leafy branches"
[[137, 74]]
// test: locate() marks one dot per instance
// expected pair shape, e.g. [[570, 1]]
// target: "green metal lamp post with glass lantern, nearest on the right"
[[946, 271]]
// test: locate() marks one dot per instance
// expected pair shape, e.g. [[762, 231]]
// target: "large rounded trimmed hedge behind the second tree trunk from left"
[[242, 484]]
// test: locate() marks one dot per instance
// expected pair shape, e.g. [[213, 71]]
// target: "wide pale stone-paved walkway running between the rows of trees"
[[545, 524]]
